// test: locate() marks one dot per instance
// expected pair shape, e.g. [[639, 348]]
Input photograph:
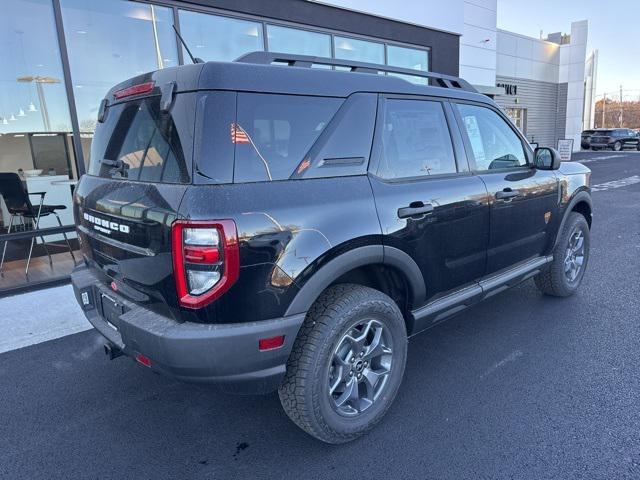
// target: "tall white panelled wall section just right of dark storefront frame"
[[479, 42]]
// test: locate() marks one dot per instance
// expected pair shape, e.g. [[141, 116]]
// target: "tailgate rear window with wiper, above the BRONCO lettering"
[[138, 142]]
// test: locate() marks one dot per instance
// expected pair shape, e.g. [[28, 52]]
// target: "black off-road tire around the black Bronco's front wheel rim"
[[552, 280]]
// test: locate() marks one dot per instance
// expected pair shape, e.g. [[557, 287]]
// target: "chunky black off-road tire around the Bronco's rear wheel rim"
[[304, 390]]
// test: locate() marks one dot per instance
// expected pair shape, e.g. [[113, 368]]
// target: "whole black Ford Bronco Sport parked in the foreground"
[[266, 225]]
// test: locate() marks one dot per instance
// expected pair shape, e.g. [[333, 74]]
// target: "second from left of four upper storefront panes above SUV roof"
[[297, 41]]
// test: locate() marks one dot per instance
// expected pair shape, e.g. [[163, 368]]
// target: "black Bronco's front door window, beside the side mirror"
[[493, 141]]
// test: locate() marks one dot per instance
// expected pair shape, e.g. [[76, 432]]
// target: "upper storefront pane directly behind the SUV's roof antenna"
[[212, 37]]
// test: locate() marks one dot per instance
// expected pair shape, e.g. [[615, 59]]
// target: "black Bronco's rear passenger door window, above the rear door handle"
[[415, 140]]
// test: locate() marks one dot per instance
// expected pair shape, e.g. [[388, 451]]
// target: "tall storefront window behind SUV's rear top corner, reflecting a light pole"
[[108, 42]]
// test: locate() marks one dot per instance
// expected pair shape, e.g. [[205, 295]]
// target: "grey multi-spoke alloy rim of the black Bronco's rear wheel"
[[360, 367]]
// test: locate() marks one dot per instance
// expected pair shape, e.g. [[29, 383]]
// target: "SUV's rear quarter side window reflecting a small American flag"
[[273, 133]]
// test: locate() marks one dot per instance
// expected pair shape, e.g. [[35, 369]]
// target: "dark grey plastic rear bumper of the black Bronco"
[[226, 354]]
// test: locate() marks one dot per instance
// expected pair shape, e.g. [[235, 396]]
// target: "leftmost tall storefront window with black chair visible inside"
[[36, 145]]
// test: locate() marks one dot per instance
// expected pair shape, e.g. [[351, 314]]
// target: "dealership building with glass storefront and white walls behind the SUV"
[[59, 58]]
